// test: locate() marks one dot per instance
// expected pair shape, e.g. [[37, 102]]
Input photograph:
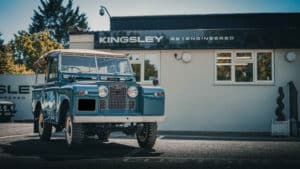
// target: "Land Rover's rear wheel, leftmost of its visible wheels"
[[45, 128]]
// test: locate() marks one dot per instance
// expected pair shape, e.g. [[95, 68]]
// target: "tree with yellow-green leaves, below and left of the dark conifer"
[[27, 48]]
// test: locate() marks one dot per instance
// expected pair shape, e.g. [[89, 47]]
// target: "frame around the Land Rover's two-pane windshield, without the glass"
[[61, 55]]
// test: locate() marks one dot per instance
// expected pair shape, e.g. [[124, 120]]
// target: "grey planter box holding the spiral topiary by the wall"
[[280, 128]]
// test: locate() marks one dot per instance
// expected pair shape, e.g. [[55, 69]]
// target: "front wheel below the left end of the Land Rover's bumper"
[[74, 132]]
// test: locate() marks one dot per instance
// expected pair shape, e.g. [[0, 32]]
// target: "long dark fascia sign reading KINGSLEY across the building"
[[199, 39]]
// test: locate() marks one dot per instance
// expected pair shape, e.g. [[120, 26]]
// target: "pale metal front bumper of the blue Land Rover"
[[117, 119]]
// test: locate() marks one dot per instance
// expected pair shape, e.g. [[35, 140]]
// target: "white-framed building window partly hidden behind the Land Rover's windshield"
[[146, 67]]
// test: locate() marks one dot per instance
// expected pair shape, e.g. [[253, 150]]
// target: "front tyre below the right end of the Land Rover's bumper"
[[146, 135]]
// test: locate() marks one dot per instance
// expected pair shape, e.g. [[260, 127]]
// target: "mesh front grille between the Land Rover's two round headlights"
[[117, 96]]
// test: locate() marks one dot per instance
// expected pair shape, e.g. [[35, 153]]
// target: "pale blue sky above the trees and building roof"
[[16, 15]]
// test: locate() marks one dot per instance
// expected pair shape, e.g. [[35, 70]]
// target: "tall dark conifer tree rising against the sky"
[[59, 19]]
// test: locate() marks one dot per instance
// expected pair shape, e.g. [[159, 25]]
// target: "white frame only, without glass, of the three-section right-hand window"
[[234, 62]]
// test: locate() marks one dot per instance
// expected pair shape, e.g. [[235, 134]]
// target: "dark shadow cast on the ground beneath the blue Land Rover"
[[57, 150]]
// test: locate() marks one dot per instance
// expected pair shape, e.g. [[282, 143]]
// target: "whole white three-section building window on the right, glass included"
[[244, 67]]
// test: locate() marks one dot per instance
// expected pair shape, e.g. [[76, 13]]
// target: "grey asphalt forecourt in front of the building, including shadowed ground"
[[20, 148]]
